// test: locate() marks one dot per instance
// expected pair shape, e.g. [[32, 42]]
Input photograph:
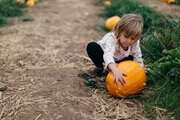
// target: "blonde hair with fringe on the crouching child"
[[131, 25]]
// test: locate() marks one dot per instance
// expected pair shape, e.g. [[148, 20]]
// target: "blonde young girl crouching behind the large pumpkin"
[[122, 43]]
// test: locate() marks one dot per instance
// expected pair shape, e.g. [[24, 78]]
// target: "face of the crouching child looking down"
[[126, 41]]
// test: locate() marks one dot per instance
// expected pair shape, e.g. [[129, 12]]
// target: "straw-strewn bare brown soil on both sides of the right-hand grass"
[[40, 61]]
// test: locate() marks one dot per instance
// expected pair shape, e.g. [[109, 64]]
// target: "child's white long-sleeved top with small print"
[[114, 52]]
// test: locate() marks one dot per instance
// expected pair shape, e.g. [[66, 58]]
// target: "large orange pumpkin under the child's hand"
[[135, 80]]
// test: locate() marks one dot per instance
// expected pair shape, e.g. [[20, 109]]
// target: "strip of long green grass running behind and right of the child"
[[160, 47]]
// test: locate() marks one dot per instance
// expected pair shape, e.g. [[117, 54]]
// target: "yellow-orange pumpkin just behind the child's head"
[[111, 22]]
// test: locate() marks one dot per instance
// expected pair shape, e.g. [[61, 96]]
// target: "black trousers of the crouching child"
[[95, 52]]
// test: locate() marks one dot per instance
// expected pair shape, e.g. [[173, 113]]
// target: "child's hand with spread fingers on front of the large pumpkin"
[[118, 76]]
